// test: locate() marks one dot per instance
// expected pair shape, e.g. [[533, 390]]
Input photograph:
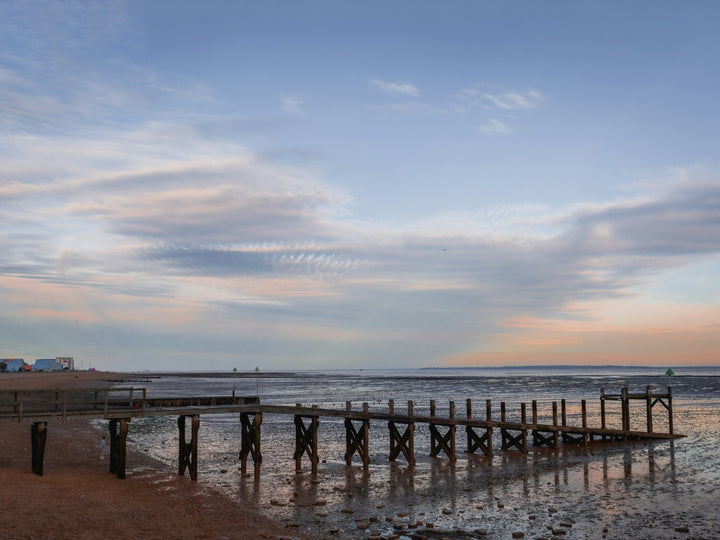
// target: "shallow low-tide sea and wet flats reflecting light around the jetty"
[[659, 489]]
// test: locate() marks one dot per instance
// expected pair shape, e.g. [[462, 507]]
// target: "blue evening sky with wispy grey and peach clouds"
[[342, 185]]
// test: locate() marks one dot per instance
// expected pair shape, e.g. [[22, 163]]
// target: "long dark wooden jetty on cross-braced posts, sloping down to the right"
[[119, 406]]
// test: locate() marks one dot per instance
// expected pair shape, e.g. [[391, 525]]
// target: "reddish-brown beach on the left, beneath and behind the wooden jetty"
[[78, 498]]
